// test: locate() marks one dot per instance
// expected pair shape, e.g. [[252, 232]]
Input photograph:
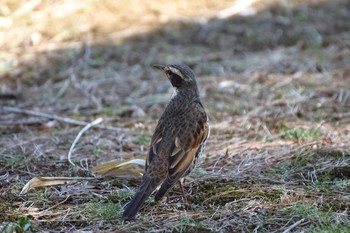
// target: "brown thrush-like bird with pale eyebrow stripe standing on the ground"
[[178, 140]]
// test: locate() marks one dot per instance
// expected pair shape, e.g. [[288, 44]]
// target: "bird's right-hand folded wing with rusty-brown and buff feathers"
[[185, 150]]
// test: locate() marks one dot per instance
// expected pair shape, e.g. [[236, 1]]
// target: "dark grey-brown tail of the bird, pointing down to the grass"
[[138, 200]]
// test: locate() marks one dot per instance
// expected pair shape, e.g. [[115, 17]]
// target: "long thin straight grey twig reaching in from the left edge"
[[54, 117]]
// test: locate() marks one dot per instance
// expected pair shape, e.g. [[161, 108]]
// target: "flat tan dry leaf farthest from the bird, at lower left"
[[48, 181]]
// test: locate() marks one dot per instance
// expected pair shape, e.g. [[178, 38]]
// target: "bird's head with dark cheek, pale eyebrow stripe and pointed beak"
[[180, 76]]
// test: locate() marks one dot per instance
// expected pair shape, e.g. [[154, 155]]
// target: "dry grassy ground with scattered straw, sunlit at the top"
[[273, 75]]
